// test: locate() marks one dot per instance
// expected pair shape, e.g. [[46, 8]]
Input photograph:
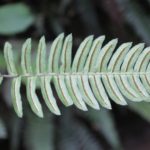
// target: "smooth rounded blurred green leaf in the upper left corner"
[[15, 18]]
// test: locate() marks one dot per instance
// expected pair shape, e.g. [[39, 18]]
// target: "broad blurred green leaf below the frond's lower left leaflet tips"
[[39, 133]]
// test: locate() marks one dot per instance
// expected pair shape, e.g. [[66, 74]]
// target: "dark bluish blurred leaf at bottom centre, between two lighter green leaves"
[[73, 135]]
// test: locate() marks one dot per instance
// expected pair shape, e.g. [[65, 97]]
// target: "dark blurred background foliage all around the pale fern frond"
[[121, 128]]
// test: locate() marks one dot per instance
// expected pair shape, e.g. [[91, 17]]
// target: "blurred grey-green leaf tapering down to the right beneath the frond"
[[104, 122]]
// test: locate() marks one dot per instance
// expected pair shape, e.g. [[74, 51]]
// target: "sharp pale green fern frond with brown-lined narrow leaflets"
[[97, 74]]
